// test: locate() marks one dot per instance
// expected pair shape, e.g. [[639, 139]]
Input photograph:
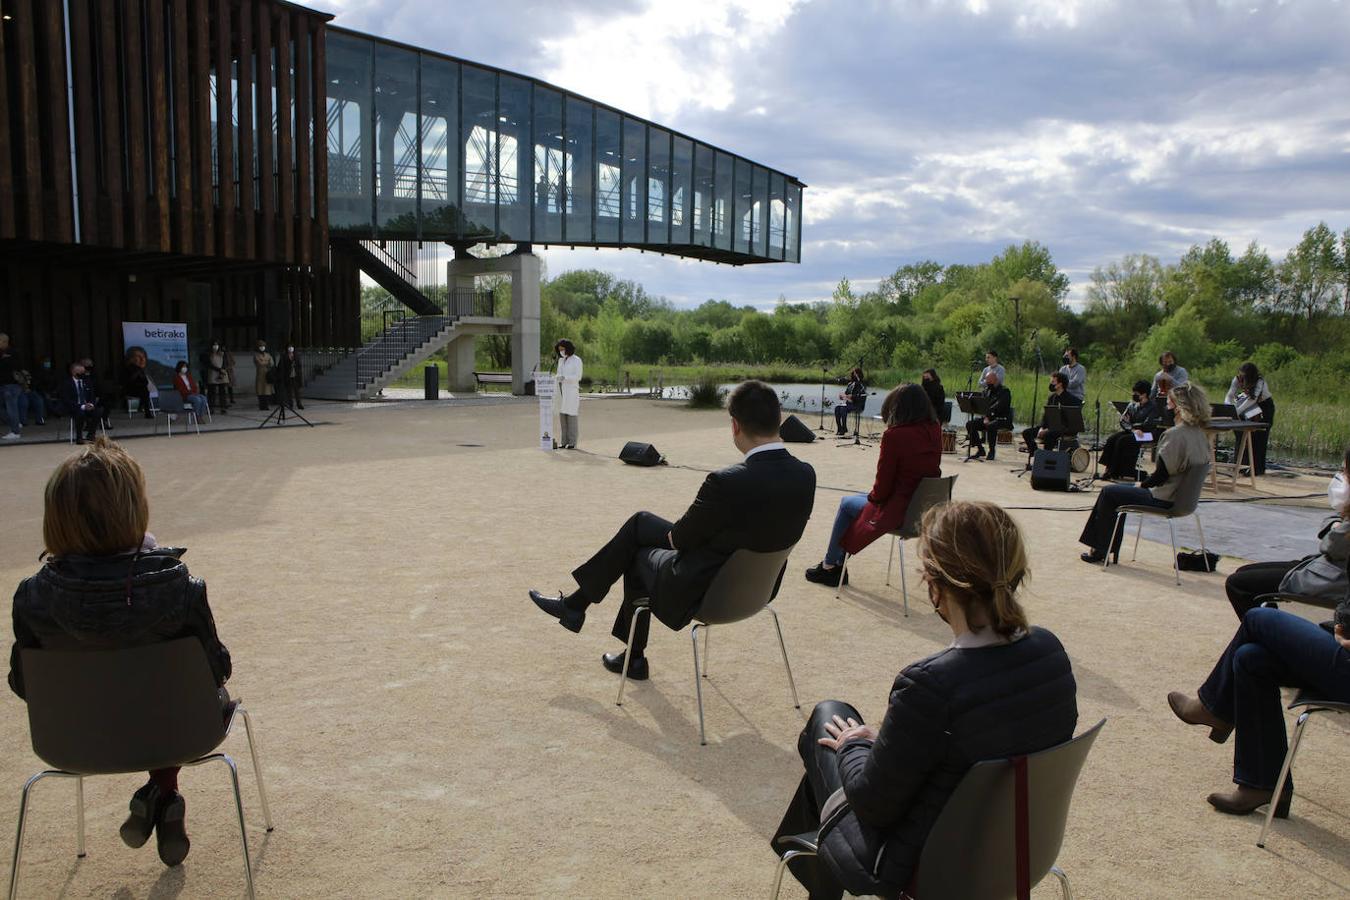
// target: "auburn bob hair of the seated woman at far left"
[[95, 504]]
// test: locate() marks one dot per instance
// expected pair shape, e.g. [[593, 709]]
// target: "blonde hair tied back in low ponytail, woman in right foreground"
[[974, 553]]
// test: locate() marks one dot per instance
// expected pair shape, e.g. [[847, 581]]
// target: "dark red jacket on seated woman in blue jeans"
[[911, 453]]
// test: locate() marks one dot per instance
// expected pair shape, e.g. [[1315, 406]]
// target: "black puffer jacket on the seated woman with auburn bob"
[[82, 604]]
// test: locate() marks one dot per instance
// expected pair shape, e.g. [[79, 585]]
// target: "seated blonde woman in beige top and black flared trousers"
[[1179, 450]]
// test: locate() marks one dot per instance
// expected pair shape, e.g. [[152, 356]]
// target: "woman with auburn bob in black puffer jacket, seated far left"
[[107, 586]]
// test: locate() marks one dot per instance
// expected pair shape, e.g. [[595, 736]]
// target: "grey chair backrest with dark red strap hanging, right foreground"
[[971, 851]]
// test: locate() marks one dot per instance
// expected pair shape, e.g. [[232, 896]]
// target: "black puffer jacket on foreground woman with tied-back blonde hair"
[[947, 713]]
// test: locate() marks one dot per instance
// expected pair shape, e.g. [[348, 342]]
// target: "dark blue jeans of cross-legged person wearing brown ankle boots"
[[1271, 650]]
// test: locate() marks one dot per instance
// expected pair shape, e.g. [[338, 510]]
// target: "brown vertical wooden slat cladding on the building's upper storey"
[[164, 160]]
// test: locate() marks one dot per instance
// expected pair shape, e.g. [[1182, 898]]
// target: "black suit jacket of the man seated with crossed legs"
[[762, 504]]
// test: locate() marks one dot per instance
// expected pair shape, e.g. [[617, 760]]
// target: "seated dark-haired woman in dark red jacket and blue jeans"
[[912, 450]]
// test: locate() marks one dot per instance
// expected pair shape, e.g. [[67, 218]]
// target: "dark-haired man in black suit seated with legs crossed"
[[761, 504]]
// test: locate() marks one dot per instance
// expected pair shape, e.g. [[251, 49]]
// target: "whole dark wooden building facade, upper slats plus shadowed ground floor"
[[169, 168]]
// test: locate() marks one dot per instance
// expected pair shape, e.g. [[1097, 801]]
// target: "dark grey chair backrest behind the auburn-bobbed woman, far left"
[[129, 710]]
